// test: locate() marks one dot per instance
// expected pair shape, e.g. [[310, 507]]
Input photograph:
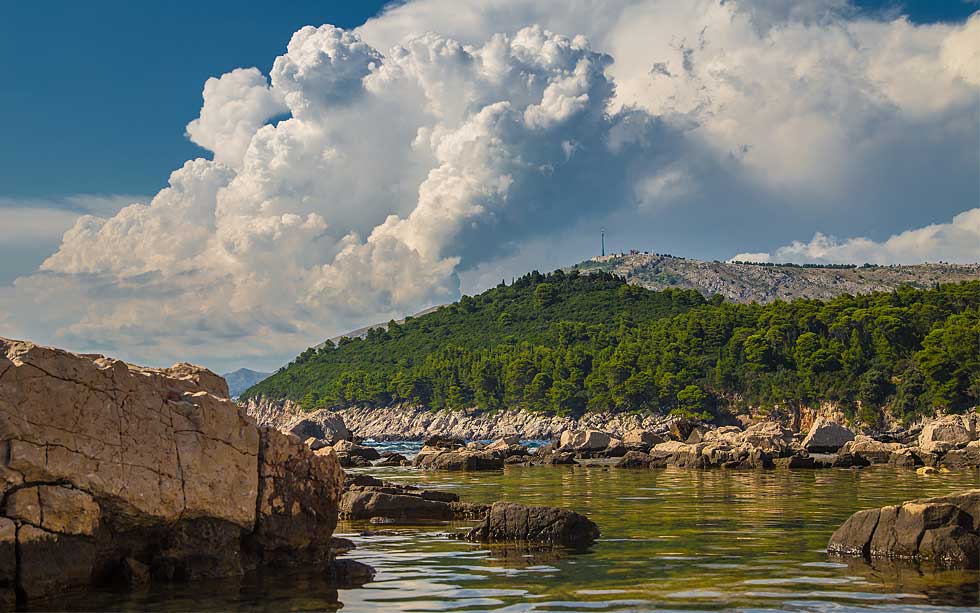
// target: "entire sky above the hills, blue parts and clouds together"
[[292, 183]]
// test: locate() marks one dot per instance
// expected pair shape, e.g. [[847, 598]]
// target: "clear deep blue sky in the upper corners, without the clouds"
[[98, 93]]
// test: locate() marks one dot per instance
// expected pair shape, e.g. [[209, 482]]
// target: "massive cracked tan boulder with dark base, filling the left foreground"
[[112, 472]]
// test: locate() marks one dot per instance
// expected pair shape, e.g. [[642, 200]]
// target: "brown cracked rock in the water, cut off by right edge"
[[942, 531]]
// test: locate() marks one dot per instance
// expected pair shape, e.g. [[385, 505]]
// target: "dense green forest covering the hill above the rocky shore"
[[569, 343]]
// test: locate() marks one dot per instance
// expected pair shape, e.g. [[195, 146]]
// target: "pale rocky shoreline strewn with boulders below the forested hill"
[[947, 442]]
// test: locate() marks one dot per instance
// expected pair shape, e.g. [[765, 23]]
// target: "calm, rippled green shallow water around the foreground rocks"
[[671, 539]]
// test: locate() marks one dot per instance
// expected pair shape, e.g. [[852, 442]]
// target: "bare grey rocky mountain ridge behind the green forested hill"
[[765, 283]]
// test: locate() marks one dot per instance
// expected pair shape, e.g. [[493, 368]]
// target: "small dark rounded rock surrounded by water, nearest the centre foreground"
[[511, 522]]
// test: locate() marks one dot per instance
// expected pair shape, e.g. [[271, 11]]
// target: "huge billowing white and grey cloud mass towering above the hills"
[[375, 171]]
